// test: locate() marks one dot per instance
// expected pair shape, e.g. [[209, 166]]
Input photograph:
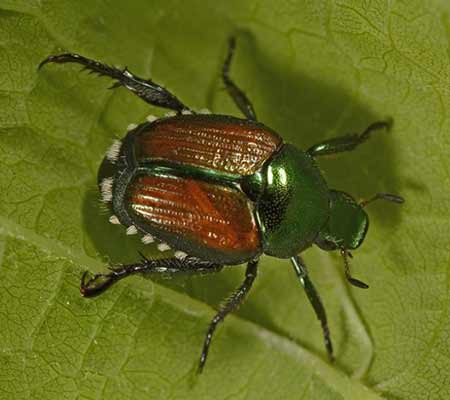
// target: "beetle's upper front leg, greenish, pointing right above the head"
[[346, 142]]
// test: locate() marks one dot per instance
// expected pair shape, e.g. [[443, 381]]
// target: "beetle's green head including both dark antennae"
[[347, 226]]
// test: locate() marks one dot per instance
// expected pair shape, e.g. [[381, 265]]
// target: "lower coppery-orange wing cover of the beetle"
[[191, 215]]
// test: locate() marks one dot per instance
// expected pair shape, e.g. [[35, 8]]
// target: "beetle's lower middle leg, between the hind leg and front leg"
[[230, 305]]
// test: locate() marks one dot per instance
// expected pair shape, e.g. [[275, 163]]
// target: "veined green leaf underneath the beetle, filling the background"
[[314, 70]]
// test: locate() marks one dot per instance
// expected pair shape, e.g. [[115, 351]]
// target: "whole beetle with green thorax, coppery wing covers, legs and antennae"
[[220, 191]]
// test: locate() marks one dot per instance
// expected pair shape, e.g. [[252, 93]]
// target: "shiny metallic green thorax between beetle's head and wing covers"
[[294, 203]]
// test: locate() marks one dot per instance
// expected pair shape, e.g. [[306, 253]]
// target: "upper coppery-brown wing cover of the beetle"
[[216, 142]]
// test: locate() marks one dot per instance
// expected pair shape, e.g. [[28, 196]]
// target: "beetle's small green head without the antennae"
[[347, 225]]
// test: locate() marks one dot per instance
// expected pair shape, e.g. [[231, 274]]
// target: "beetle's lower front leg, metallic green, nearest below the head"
[[314, 299]]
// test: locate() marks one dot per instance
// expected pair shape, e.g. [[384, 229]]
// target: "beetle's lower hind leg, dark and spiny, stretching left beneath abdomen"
[[94, 285]]
